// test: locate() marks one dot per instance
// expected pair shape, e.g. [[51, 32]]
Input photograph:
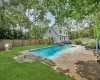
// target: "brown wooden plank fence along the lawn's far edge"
[[15, 43]]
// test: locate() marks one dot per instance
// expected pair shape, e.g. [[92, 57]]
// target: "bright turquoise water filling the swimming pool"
[[51, 52]]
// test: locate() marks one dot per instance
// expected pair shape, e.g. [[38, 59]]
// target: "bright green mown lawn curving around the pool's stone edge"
[[11, 70]]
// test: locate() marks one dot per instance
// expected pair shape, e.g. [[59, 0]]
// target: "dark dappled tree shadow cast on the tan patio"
[[89, 70]]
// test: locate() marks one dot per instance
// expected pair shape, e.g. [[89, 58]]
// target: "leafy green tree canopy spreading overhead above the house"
[[13, 12]]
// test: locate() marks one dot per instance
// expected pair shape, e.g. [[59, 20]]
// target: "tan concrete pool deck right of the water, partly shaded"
[[80, 62]]
